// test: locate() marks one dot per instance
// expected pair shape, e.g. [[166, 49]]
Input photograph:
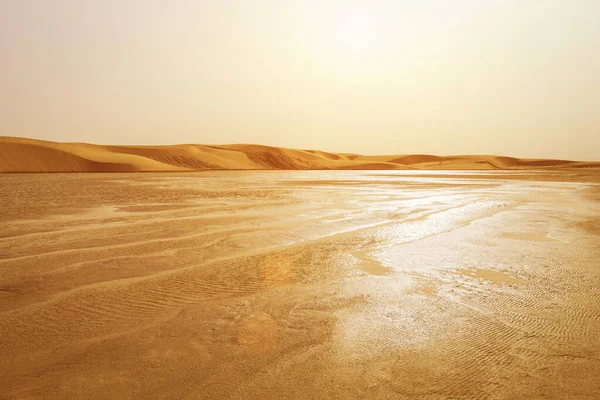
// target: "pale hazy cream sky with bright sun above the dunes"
[[505, 77]]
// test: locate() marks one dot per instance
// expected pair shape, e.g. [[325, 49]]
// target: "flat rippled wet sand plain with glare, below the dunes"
[[297, 284]]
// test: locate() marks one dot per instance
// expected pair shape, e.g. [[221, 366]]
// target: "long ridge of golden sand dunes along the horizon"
[[30, 155]]
